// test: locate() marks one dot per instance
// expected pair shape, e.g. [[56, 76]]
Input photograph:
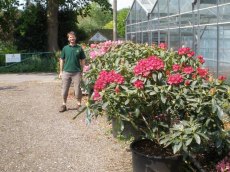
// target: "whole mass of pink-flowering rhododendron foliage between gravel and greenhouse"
[[157, 89]]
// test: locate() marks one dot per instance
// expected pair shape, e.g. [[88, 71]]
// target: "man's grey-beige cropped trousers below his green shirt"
[[67, 79]]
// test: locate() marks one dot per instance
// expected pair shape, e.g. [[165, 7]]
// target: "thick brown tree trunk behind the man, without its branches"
[[52, 19]]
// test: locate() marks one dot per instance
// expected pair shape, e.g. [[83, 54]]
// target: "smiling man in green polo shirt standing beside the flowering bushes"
[[72, 61]]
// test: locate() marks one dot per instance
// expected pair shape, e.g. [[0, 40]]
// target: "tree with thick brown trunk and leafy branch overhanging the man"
[[80, 6]]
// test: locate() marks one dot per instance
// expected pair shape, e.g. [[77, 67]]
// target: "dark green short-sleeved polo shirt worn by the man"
[[72, 56]]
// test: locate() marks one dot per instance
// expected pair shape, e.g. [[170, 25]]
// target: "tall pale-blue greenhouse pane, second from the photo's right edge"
[[208, 46]]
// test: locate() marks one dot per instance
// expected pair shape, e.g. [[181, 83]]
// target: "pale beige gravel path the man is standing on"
[[35, 137]]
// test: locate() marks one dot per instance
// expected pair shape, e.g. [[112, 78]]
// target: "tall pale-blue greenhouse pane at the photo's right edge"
[[224, 50]]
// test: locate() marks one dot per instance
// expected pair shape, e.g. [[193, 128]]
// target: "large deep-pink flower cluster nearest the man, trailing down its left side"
[[105, 78]]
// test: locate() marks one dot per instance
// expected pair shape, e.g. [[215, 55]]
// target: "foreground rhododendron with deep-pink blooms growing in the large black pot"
[[183, 103]]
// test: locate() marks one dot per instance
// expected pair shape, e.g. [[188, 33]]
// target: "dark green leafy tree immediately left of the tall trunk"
[[31, 29]]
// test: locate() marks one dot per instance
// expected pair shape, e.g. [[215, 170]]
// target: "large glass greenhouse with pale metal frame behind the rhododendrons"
[[203, 25]]
